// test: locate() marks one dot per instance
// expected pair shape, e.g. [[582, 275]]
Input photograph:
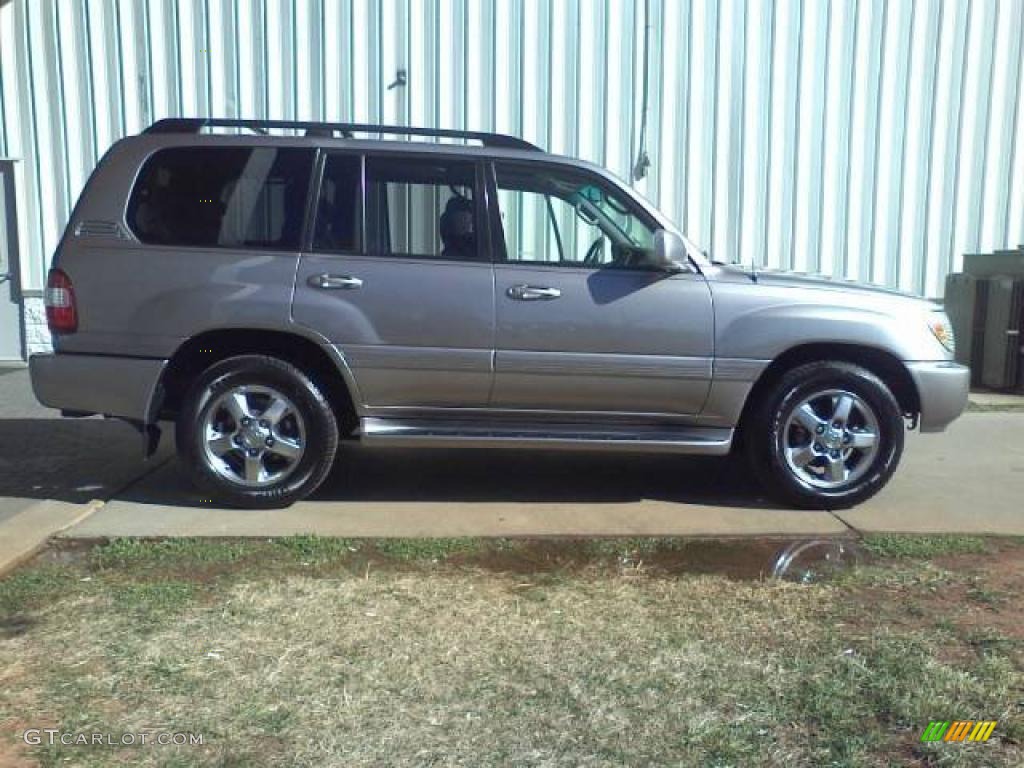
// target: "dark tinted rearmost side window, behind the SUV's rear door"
[[223, 197]]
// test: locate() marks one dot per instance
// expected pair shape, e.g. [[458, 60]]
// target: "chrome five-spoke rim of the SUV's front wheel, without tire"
[[830, 440]]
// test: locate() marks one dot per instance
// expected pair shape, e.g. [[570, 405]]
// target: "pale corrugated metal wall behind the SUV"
[[865, 139]]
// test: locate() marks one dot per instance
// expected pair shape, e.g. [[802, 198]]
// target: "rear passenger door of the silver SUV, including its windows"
[[399, 278]]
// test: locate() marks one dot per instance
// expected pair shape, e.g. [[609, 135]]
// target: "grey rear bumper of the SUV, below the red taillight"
[[98, 385]]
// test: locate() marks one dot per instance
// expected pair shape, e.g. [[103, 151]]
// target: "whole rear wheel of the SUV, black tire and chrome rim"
[[257, 433]]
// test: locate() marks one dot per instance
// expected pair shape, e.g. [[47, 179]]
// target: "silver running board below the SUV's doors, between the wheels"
[[648, 439]]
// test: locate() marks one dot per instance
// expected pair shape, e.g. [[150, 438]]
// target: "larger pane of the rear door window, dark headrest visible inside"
[[422, 207]]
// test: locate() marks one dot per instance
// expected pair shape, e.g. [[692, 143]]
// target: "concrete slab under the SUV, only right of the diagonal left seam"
[[970, 480]]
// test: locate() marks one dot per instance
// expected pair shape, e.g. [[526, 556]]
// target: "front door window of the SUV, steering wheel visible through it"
[[558, 217]]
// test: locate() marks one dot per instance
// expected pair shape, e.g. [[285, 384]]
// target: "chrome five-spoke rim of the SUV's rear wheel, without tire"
[[253, 437]]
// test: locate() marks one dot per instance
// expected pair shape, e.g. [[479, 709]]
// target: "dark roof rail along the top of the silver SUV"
[[195, 125]]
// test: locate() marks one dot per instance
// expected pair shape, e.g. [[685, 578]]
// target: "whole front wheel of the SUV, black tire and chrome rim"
[[827, 436]]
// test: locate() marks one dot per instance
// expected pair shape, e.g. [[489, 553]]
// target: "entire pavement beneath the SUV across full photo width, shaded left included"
[[970, 480]]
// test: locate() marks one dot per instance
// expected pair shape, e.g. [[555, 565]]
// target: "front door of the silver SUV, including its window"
[[584, 323]]
